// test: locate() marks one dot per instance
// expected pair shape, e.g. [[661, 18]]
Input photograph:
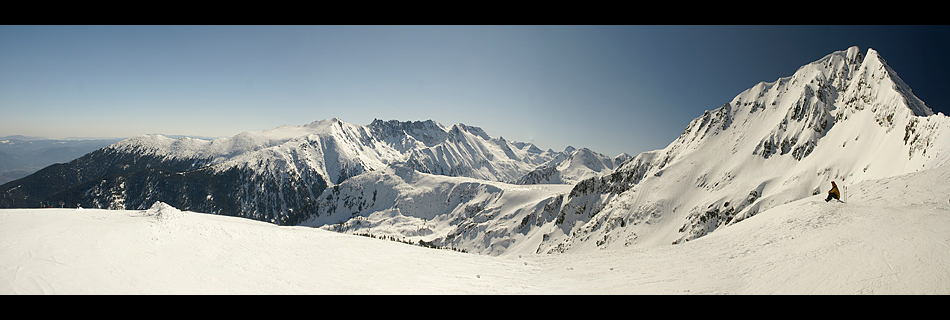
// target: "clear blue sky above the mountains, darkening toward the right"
[[609, 88]]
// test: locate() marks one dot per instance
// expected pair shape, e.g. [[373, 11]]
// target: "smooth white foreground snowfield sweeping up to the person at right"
[[889, 238]]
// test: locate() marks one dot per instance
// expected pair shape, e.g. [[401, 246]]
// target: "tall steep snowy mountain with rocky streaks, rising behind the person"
[[847, 117]]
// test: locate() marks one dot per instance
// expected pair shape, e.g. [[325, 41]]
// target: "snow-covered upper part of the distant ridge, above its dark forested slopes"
[[339, 150]]
